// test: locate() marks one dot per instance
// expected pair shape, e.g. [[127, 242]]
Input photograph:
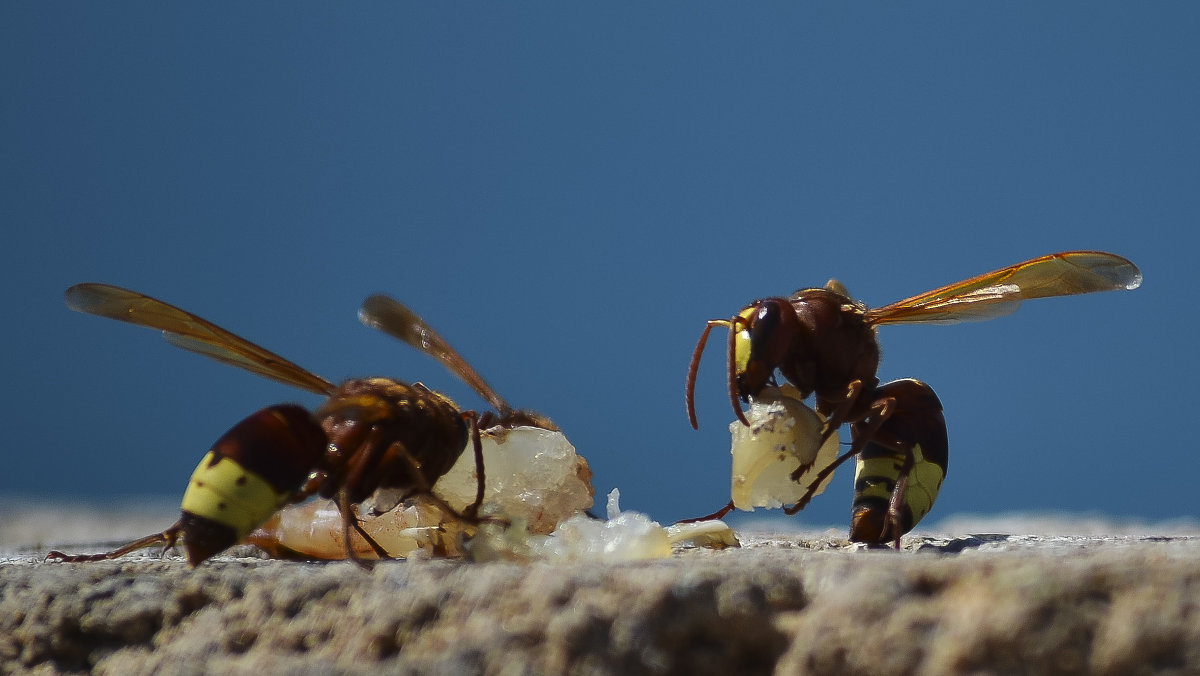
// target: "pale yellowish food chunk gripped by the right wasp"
[[784, 435]]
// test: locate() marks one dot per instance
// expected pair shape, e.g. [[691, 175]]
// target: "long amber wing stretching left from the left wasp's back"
[[189, 332]]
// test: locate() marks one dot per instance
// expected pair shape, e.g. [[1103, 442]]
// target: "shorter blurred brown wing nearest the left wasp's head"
[[389, 316]]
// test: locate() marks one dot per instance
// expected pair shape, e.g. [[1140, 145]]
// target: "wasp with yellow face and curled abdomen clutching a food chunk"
[[825, 344]]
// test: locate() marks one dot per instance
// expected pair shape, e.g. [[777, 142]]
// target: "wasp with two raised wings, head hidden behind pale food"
[[375, 438]]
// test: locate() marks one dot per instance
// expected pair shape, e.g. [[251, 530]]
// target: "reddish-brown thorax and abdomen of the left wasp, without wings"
[[373, 434]]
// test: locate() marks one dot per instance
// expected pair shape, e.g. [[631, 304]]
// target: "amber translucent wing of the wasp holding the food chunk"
[[999, 294]]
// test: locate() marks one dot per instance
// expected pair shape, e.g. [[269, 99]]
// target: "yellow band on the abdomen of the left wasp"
[[232, 496]]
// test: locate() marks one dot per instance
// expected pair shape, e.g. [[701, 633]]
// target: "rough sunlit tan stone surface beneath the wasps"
[[783, 605]]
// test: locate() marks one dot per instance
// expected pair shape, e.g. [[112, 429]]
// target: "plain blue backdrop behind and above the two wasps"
[[568, 193]]
